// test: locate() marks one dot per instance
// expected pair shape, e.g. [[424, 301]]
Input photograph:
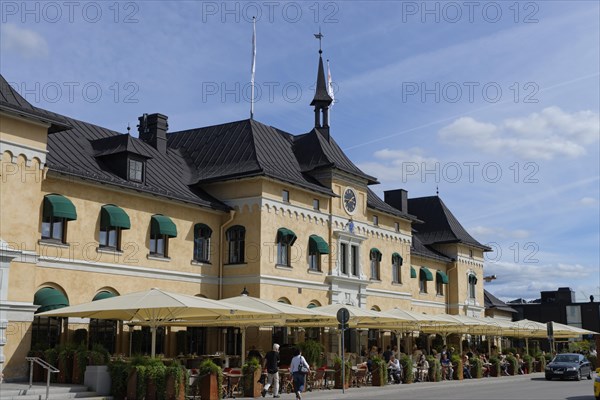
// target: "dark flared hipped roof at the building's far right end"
[[440, 225]]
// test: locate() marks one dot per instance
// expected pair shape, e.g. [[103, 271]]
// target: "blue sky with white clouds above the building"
[[495, 103]]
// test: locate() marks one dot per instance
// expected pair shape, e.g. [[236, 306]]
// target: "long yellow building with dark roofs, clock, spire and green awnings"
[[86, 213]]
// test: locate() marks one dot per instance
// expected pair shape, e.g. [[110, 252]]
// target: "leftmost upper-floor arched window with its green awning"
[[57, 212]]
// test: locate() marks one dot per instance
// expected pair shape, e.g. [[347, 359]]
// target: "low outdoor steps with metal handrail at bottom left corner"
[[21, 391]]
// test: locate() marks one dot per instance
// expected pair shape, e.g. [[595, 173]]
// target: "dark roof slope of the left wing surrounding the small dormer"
[[71, 152]]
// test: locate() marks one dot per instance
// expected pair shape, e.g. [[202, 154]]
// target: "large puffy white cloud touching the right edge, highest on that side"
[[545, 135]]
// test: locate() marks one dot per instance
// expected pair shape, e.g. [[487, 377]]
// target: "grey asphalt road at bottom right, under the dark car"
[[528, 387]]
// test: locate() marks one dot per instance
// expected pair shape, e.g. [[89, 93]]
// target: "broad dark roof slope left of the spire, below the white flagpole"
[[242, 149]]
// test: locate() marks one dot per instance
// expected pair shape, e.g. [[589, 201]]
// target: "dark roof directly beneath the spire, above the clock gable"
[[314, 152]]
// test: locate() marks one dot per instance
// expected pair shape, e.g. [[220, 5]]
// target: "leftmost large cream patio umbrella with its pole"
[[153, 308]]
